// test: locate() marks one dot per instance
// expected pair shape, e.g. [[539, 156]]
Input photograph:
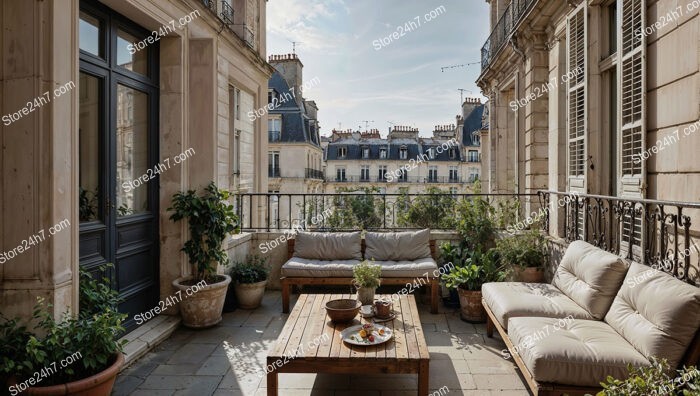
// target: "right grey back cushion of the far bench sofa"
[[397, 246]]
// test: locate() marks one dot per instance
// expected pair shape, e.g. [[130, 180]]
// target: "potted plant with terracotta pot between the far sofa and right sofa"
[[478, 269]]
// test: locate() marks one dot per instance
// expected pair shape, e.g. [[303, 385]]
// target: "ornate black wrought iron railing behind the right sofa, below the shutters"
[[651, 232]]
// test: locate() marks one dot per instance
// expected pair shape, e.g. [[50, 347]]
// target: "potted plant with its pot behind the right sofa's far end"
[[525, 253]]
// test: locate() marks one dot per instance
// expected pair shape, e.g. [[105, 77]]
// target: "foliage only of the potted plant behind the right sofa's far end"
[[527, 250]]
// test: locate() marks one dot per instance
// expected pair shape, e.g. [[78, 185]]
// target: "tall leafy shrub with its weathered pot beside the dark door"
[[210, 219]]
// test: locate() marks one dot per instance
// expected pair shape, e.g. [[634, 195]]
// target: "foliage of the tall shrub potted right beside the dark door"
[[211, 218]]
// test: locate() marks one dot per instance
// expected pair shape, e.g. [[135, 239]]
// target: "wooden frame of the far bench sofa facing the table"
[[288, 282]]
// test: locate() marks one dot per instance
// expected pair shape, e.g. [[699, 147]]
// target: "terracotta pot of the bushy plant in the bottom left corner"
[[97, 385]]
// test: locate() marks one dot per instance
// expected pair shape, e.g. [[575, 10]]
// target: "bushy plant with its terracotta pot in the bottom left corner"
[[76, 355]]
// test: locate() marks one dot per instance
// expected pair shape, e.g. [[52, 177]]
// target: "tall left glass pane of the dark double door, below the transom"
[[89, 142]]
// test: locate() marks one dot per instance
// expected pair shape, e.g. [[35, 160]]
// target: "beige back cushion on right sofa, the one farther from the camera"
[[590, 276]]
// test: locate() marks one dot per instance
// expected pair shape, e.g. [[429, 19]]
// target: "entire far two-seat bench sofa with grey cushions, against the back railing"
[[327, 258]]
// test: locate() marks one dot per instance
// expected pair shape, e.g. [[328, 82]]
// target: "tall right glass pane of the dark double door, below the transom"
[[133, 174]]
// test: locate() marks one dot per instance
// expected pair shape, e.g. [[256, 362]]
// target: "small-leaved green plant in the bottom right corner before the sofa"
[[654, 380]]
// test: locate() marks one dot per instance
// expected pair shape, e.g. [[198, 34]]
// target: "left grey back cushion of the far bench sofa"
[[328, 245]]
